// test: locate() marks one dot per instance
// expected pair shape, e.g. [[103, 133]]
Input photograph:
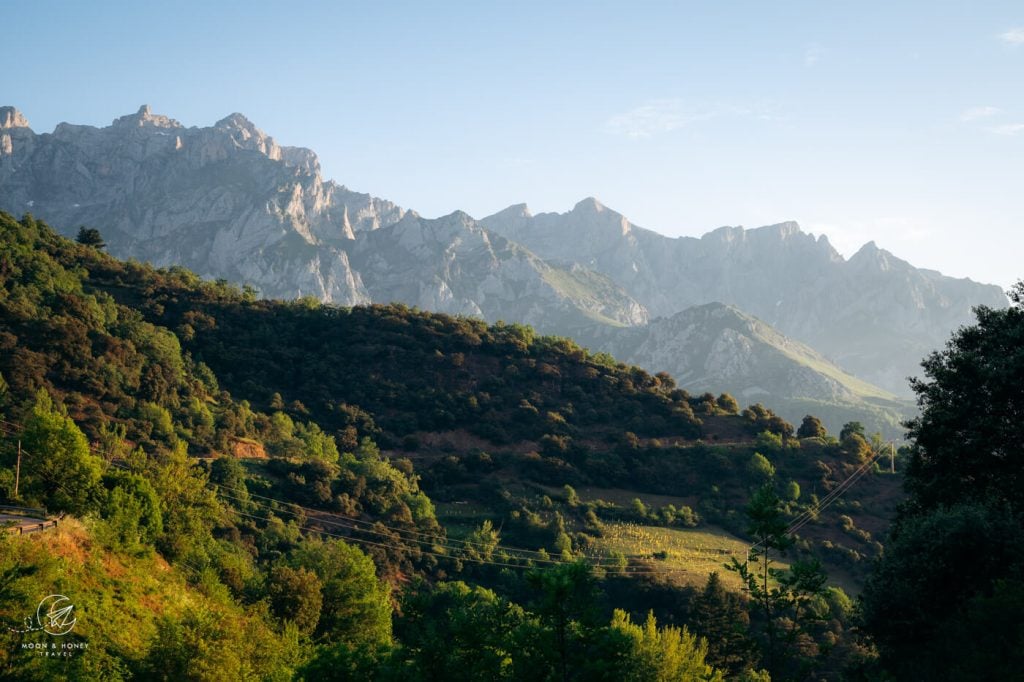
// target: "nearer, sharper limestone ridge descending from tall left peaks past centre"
[[229, 202]]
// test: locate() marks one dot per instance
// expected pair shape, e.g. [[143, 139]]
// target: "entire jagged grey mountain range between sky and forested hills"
[[229, 202]]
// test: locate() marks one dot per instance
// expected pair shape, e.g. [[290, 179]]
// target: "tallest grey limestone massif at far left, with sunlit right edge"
[[226, 201]]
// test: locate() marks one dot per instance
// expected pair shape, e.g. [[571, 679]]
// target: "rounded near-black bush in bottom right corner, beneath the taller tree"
[[930, 604]]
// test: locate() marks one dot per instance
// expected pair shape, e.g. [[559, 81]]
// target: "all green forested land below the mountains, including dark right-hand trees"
[[266, 490]]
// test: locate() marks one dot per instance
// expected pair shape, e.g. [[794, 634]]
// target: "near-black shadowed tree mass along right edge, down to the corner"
[[943, 602]]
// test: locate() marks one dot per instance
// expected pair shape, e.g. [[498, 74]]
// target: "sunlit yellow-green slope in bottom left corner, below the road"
[[139, 618]]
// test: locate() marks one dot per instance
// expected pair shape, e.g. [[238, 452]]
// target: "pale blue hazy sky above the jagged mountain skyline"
[[902, 123]]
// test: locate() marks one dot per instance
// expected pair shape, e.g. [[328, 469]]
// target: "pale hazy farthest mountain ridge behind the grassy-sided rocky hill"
[[874, 315]]
